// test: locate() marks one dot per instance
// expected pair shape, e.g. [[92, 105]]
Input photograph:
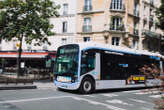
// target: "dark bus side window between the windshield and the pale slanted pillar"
[[87, 62]]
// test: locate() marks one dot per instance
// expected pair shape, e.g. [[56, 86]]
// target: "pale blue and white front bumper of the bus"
[[68, 86]]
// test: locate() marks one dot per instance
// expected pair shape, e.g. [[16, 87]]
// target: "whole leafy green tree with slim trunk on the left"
[[27, 20]]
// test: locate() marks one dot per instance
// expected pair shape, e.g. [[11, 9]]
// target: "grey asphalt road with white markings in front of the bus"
[[52, 99]]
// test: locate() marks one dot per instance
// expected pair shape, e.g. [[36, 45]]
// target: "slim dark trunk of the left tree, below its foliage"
[[19, 58]]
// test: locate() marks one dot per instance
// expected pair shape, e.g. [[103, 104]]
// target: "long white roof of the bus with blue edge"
[[93, 45]]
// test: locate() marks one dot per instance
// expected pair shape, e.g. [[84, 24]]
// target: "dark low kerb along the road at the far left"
[[17, 87]]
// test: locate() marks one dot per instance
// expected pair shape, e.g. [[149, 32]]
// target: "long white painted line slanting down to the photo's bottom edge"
[[98, 103]]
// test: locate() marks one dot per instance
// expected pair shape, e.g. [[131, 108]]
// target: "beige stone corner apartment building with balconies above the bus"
[[127, 23]]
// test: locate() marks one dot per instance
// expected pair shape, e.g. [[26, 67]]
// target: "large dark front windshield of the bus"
[[67, 60]]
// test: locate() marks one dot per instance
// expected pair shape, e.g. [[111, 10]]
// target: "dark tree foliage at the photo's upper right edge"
[[160, 16]]
